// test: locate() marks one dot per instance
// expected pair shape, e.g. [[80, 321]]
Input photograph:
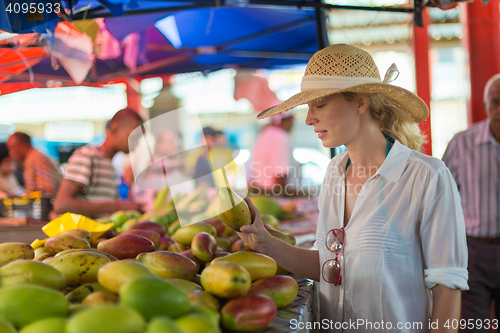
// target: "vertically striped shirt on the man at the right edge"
[[473, 157]]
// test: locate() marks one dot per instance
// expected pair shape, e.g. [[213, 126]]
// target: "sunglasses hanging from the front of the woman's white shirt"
[[331, 270]]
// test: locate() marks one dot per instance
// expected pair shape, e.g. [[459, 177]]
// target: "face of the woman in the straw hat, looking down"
[[334, 118]]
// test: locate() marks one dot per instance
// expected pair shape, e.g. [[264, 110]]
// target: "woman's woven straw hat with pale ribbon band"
[[340, 68]]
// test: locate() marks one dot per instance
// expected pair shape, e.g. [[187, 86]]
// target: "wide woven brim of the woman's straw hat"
[[401, 97]]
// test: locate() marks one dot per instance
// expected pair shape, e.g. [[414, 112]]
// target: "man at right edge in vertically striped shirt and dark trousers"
[[473, 157]]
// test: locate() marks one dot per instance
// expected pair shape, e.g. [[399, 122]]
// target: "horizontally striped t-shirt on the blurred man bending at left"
[[92, 169]]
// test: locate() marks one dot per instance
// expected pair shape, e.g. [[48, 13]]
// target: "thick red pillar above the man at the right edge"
[[481, 42]]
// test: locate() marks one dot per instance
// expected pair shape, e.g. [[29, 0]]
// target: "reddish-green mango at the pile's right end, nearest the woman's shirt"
[[282, 289]]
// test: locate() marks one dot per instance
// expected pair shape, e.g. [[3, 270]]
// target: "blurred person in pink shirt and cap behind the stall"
[[271, 163]]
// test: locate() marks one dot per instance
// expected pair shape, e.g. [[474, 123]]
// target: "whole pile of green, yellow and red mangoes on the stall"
[[145, 277]]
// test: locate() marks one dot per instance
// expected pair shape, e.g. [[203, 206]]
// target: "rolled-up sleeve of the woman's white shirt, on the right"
[[442, 232]]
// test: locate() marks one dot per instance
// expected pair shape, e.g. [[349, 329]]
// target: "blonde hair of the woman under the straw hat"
[[393, 120]]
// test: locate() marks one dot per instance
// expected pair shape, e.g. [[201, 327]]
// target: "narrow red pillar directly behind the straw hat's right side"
[[423, 75]]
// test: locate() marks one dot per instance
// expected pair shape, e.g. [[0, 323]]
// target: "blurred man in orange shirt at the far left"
[[40, 173]]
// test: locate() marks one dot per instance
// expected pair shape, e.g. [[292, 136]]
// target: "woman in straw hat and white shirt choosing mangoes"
[[390, 227]]
